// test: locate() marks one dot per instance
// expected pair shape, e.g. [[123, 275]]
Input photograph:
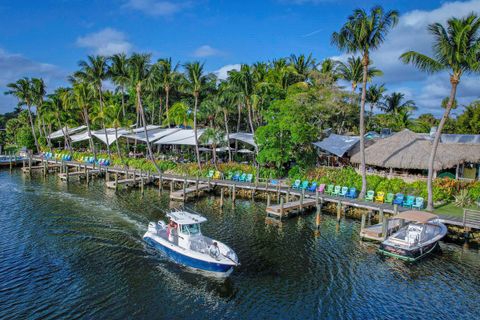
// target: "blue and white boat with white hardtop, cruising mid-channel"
[[182, 240]]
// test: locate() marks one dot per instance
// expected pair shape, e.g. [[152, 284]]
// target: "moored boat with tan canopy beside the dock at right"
[[418, 236]]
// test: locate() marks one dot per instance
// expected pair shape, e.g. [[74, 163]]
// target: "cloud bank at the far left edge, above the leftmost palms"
[[15, 66]]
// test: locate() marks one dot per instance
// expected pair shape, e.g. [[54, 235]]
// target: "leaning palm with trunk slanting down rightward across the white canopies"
[[139, 68]]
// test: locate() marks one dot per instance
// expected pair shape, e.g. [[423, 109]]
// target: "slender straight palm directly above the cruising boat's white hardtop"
[[195, 81]]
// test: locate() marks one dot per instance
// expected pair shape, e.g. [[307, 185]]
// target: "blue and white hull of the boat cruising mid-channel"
[[217, 268]]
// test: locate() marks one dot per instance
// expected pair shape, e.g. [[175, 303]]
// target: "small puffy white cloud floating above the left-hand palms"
[[105, 42]]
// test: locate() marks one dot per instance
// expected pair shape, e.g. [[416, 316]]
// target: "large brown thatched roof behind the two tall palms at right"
[[409, 152]]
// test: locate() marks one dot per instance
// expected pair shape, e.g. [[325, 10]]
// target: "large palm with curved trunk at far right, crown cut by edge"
[[456, 49]]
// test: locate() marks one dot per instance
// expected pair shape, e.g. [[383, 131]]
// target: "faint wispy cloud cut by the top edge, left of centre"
[[157, 8]]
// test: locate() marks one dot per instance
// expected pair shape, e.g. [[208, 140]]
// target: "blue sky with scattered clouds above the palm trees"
[[47, 38]]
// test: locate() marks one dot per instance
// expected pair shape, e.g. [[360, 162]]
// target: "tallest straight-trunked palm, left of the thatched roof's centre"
[[363, 33]]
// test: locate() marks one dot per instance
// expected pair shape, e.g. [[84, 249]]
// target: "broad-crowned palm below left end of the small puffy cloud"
[[94, 71]]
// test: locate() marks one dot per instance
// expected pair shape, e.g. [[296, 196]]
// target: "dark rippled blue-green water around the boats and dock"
[[72, 252]]
